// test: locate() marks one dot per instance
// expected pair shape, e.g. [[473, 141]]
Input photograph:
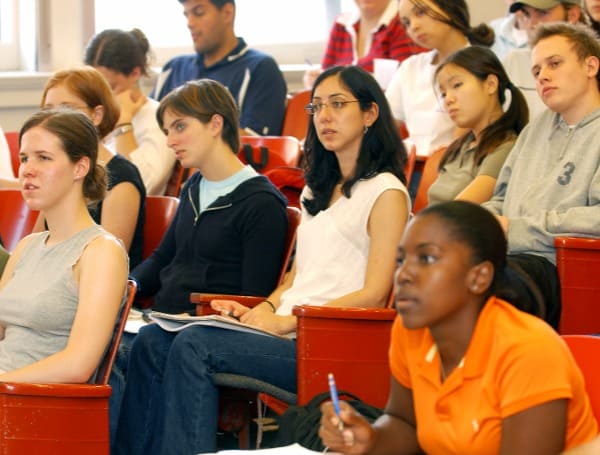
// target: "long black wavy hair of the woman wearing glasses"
[[381, 149]]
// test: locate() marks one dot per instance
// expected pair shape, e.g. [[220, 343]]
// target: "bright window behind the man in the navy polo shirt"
[[289, 41]]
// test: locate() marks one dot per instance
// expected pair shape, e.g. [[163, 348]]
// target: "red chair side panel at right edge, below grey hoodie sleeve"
[[578, 265]]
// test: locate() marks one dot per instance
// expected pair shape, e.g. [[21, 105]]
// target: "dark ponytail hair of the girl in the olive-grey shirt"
[[481, 62]]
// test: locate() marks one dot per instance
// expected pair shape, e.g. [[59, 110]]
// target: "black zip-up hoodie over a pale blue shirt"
[[234, 247]]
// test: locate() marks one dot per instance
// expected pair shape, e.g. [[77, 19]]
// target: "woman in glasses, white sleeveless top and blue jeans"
[[354, 206]]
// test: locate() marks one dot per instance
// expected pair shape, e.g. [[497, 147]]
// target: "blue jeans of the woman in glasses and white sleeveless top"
[[170, 402]]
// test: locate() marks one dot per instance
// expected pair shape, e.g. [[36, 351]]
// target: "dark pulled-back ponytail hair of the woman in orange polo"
[[477, 228]]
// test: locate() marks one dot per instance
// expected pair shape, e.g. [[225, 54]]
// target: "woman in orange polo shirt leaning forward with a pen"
[[471, 374]]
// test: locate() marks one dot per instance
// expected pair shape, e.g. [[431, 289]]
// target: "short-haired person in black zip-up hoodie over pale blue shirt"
[[229, 230]]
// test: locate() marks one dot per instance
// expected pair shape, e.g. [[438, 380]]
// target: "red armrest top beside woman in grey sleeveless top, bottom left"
[[55, 390]]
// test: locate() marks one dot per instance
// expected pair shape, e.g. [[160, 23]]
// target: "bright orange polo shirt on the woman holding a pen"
[[514, 361]]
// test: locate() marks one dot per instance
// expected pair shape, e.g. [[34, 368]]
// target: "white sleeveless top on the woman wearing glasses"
[[333, 246]]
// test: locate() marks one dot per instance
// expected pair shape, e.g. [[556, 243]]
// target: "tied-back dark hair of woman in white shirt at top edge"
[[458, 17]]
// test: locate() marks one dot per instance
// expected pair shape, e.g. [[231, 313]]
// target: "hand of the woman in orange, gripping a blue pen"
[[357, 436]]
